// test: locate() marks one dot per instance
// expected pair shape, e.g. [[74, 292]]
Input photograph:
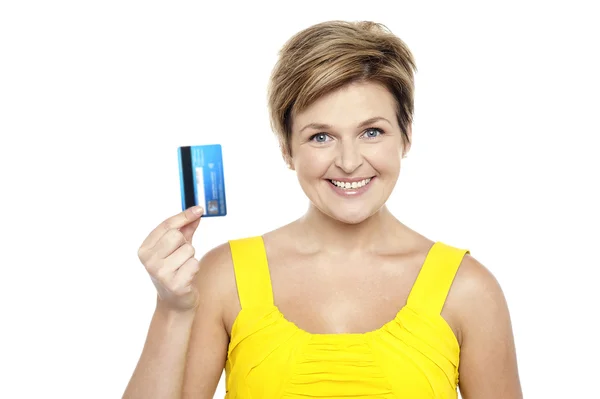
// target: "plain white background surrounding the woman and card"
[[95, 98]]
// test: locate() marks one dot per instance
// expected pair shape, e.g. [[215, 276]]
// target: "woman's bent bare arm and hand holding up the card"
[[188, 300]]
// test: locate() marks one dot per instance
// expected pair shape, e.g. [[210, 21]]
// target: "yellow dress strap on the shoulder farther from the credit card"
[[435, 278]]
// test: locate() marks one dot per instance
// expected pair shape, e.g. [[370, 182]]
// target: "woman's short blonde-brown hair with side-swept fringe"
[[329, 55]]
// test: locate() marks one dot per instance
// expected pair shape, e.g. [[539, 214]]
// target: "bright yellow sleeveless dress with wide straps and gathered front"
[[415, 355]]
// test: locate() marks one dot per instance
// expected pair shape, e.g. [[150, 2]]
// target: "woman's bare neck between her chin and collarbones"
[[326, 233]]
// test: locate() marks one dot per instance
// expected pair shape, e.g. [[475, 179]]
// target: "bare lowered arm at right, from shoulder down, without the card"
[[488, 363]]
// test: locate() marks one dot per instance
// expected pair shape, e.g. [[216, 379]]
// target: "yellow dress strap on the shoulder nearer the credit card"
[[251, 271]]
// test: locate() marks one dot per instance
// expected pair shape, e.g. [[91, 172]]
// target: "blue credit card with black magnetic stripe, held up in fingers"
[[201, 178]]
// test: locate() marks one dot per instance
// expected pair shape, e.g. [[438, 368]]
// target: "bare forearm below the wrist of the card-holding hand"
[[159, 372]]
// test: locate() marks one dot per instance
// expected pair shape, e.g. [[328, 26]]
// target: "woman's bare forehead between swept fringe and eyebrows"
[[348, 106]]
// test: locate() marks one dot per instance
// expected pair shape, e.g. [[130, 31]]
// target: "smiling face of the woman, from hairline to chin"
[[346, 151]]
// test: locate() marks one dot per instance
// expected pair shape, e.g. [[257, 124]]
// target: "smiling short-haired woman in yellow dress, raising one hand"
[[347, 300]]
